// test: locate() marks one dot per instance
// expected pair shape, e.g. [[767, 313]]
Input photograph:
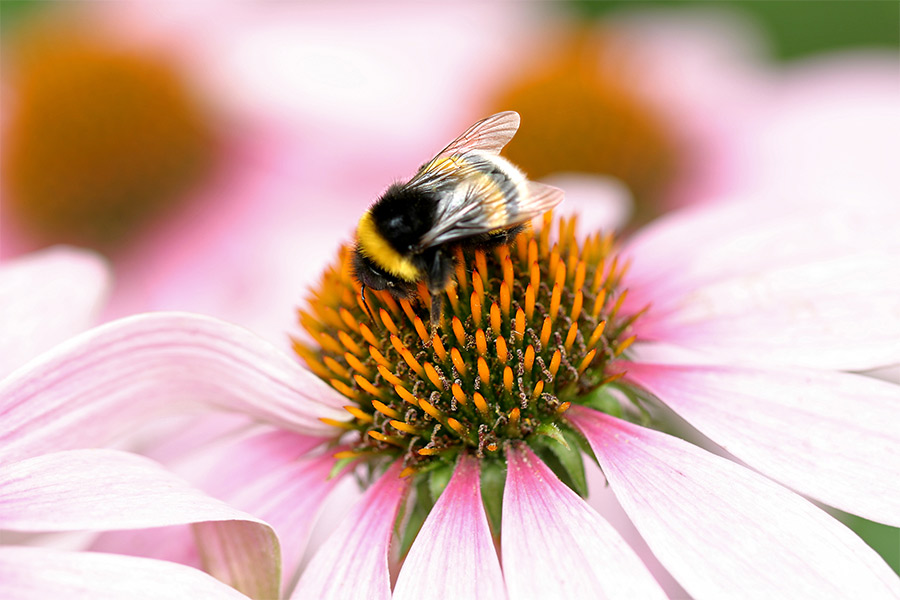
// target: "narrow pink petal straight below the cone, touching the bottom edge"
[[453, 555]]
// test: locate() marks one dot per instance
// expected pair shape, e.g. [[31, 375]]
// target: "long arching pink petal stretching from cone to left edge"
[[106, 381]]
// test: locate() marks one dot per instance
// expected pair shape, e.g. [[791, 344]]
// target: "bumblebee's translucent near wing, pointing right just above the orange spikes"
[[482, 211]]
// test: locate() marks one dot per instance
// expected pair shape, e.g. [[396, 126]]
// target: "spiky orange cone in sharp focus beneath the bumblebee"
[[527, 330]]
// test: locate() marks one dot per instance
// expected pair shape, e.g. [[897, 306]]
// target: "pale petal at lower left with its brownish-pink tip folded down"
[[109, 489]]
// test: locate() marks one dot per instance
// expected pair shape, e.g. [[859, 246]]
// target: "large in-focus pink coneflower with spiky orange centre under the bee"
[[552, 352]]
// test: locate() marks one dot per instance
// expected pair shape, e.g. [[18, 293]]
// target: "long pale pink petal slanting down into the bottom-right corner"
[[718, 527]]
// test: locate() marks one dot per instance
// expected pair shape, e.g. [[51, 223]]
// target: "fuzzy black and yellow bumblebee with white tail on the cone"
[[467, 196]]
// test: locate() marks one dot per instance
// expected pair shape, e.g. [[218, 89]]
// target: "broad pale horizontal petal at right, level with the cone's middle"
[[838, 313]]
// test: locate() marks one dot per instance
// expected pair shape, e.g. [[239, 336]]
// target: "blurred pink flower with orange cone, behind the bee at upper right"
[[685, 106]]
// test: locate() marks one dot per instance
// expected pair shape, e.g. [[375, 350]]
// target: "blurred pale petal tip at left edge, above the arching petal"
[[31, 288]]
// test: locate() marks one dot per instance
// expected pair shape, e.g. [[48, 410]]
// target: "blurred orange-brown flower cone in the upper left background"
[[100, 138]]
